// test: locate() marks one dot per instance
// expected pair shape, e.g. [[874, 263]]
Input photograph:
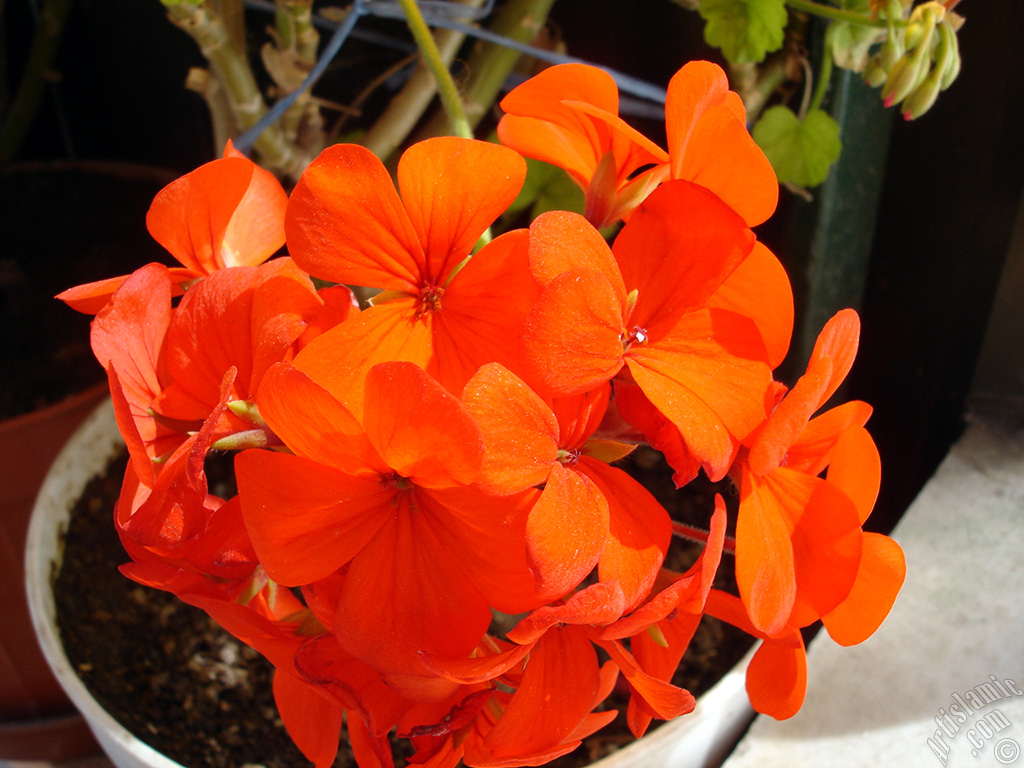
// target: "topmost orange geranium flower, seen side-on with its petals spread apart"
[[569, 116]]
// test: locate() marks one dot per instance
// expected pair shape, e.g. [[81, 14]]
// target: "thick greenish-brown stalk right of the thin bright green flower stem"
[[490, 64]]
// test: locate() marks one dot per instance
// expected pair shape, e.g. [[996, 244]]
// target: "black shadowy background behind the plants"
[[953, 182]]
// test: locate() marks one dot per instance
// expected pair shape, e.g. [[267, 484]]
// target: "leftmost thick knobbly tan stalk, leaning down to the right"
[[240, 87]]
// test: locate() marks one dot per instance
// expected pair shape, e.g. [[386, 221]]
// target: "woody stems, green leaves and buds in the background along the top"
[[262, 60]]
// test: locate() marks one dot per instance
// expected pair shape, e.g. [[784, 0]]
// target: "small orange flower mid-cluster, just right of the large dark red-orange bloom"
[[589, 514]]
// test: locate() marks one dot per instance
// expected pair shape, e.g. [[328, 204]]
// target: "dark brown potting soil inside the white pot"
[[194, 693]]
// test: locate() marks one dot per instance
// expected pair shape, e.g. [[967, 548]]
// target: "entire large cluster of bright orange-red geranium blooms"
[[432, 537]]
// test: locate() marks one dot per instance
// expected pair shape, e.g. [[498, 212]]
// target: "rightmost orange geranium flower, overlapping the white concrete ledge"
[[800, 547]]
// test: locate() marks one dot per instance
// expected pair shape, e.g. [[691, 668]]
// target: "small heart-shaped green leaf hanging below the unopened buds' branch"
[[801, 152]]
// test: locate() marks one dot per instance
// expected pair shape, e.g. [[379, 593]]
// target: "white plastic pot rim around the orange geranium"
[[701, 740]]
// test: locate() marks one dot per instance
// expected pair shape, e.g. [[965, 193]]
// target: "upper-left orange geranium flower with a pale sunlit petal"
[[229, 212]]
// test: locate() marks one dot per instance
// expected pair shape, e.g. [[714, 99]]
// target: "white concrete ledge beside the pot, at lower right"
[[938, 668]]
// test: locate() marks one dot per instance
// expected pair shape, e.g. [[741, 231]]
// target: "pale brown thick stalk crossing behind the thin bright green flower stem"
[[405, 111]]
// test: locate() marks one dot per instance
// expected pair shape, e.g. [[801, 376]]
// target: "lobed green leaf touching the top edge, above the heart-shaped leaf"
[[746, 31]]
